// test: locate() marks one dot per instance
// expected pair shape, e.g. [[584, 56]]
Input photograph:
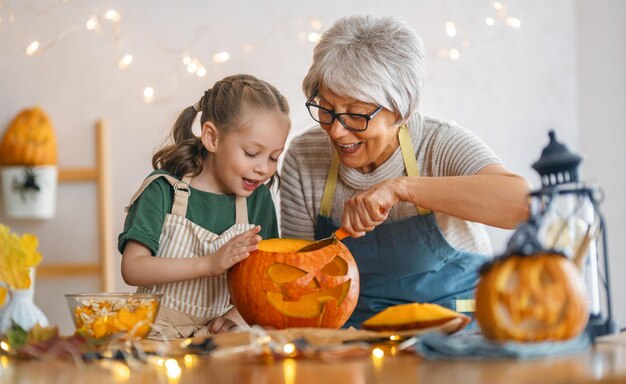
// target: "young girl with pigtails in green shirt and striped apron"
[[206, 206]]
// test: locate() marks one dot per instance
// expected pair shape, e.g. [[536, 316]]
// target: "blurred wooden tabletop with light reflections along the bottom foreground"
[[604, 363]]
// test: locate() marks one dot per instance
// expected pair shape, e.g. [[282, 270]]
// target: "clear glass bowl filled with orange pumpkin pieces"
[[99, 315]]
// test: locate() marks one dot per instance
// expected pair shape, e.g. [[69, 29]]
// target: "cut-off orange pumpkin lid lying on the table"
[[413, 316]]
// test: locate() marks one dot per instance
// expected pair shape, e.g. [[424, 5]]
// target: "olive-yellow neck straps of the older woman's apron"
[[410, 163]]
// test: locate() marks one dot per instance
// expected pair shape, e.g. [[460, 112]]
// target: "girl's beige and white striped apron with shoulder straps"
[[188, 306]]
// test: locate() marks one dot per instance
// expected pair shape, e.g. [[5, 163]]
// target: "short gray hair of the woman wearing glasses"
[[378, 60]]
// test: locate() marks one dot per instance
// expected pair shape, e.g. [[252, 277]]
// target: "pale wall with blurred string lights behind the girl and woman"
[[509, 71]]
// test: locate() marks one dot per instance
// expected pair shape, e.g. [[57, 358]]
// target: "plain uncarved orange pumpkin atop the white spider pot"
[[29, 140]]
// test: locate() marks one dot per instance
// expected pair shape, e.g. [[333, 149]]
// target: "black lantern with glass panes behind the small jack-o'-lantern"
[[567, 217]]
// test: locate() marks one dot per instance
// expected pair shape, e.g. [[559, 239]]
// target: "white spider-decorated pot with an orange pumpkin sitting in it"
[[28, 156]]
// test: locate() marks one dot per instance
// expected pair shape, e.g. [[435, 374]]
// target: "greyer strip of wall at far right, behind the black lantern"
[[602, 119]]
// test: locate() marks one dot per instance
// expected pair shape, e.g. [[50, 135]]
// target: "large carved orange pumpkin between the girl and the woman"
[[279, 287]]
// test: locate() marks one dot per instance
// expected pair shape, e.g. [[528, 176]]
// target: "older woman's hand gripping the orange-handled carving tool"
[[367, 209]]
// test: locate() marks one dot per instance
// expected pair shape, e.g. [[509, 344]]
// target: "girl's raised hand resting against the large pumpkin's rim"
[[236, 249]]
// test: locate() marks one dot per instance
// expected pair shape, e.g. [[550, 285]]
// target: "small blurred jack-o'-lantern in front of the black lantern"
[[533, 297]]
